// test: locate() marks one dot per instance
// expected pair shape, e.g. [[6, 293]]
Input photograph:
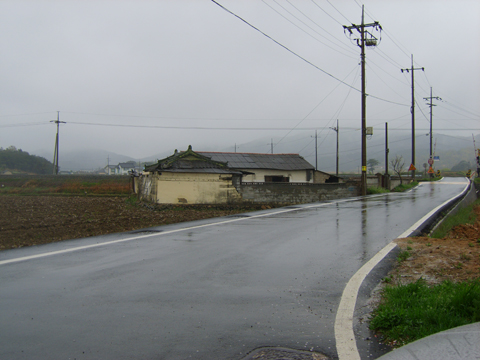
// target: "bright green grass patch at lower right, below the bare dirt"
[[413, 311]]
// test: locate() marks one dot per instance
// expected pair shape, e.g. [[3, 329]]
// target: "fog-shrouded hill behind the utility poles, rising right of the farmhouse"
[[451, 149]]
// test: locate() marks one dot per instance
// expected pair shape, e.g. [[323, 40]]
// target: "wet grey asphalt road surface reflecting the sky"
[[213, 289]]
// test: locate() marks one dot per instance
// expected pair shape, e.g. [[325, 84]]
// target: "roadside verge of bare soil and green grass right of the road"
[[435, 285]]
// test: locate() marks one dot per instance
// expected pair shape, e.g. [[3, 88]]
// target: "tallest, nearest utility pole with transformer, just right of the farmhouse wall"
[[366, 39]]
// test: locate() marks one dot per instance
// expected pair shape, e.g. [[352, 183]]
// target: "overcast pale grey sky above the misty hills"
[[143, 77]]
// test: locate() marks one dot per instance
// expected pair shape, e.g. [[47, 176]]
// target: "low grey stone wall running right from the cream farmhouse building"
[[288, 193]]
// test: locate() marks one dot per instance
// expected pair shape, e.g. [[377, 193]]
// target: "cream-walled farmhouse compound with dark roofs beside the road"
[[190, 177]]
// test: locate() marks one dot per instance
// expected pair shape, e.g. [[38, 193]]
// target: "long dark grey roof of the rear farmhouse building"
[[260, 161]]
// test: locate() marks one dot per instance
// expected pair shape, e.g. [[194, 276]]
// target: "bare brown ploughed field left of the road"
[[33, 220]]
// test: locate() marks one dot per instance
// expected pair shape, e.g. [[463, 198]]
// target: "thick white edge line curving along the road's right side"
[[344, 335]]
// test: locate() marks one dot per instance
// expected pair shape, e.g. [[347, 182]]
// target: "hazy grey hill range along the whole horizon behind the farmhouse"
[[450, 148]]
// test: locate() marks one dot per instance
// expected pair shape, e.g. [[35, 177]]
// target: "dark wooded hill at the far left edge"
[[13, 159]]
